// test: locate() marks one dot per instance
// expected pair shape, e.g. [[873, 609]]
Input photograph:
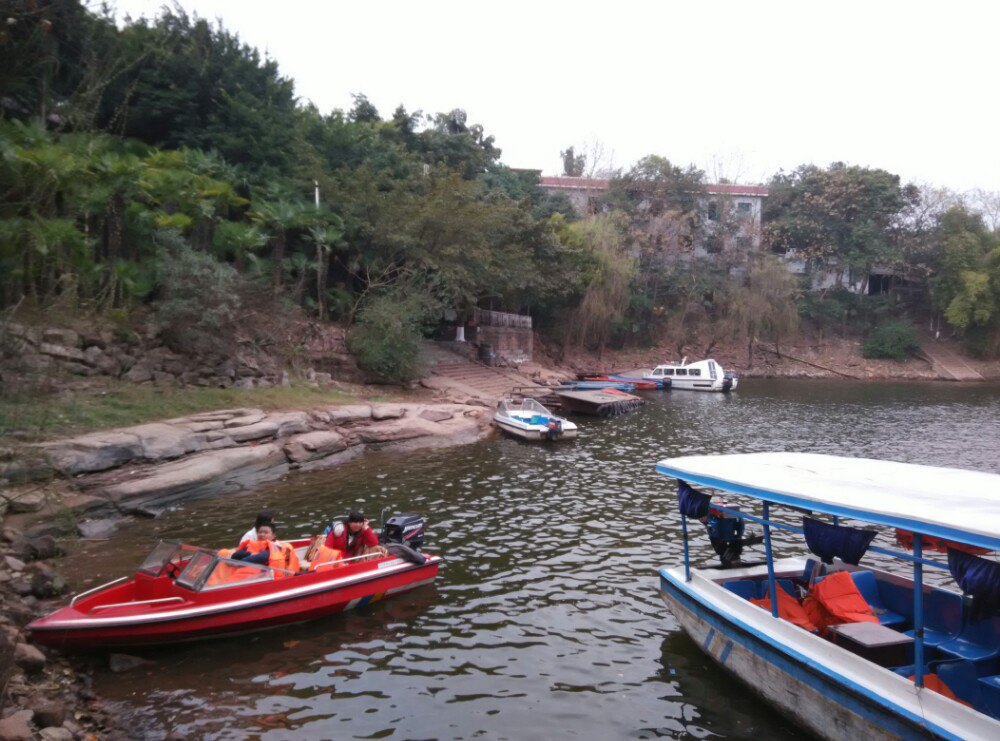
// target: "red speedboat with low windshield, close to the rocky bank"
[[182, 593]]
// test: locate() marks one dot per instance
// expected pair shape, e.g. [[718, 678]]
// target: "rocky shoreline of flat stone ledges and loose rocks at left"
[[87, 484]]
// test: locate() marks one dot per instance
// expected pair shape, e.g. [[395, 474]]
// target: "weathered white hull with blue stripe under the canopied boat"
[[830, 706]]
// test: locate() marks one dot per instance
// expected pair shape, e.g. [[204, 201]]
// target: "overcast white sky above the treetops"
[[739, 89]]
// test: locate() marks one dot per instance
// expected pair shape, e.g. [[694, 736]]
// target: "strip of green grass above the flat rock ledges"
[[57, 415]]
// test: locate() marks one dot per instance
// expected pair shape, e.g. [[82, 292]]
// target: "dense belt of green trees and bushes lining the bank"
[[164, 166]]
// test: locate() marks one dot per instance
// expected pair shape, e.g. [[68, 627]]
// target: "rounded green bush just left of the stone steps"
[[386, 341]]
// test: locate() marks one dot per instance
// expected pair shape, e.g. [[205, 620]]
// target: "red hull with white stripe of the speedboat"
[[285, 602]]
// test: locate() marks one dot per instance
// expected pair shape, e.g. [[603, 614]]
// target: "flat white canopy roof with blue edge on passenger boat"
[[952, 503]]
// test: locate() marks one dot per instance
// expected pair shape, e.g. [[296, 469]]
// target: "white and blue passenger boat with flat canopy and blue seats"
[[894, 657]]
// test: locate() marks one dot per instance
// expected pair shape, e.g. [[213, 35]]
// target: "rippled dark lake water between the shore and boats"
[[545, 620]]
